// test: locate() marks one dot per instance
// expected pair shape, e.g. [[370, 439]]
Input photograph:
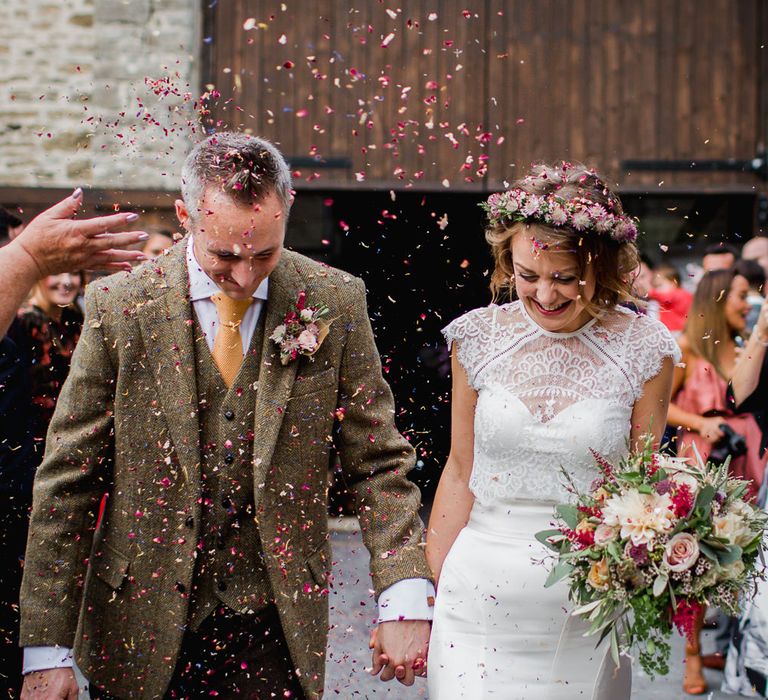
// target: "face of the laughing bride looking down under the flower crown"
[[547, 282]]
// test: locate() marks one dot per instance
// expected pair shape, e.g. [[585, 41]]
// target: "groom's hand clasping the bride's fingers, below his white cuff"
[[400, 650]]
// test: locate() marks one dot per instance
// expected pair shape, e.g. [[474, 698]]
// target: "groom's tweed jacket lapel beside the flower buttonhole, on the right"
[[275, 380]]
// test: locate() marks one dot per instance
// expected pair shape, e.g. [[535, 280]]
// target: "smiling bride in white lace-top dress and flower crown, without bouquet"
[[537, 384]]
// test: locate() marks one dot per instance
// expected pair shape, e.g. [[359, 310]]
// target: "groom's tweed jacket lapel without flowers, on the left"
[[167, 329]]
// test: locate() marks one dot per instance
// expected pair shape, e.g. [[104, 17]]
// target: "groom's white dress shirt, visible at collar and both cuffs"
[[409, 599]]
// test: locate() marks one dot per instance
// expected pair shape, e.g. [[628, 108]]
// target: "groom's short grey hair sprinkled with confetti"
[[246, 168]]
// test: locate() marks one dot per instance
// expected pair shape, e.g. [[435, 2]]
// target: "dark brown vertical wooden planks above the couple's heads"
[[467, 94]]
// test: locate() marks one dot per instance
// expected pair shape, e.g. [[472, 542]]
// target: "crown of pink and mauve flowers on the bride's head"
[[578, 213]]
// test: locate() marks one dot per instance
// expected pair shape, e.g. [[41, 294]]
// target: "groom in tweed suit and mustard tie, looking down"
[[208, 572]]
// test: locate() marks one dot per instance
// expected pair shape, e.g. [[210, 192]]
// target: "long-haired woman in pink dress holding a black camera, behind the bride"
[[699, 408]]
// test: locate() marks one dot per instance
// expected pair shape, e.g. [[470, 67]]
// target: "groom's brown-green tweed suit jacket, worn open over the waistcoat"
[[126, 425]]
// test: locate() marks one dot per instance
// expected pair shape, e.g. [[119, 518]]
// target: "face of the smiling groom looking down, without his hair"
[[236, 245]]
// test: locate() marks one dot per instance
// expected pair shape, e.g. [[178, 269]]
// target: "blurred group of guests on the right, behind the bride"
[[718, 316]]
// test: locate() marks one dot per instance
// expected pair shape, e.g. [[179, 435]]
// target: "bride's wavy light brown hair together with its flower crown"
[[569, 208]]
